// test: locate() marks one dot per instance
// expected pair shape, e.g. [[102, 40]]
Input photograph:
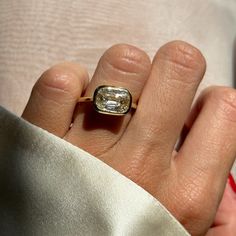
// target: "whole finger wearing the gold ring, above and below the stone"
[[122, 66]]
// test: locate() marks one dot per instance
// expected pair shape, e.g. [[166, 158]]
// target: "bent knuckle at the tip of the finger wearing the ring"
[[127, 58]]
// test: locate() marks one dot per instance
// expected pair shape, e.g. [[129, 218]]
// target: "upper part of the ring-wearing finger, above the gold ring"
[[122, 66]]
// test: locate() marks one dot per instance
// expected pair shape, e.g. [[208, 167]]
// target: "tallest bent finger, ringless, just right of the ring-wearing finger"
[[177, 70]]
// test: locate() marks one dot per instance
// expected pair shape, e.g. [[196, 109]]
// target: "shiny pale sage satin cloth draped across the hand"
[[50, 187]]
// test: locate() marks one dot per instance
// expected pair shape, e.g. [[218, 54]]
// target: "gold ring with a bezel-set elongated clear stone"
[[111, 100]]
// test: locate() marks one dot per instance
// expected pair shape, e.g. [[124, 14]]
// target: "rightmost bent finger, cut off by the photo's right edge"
[[209, 149]]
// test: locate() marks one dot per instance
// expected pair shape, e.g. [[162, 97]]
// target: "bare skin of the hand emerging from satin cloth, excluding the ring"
[[189, 181]]
